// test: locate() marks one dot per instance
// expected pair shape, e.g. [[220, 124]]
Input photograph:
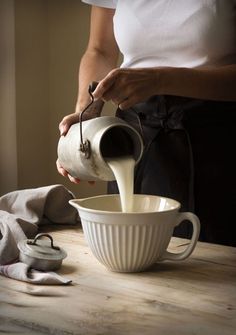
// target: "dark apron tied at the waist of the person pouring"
[[189, 156]]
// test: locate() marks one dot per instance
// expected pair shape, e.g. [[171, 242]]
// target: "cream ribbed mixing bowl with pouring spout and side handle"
[[132, 242]]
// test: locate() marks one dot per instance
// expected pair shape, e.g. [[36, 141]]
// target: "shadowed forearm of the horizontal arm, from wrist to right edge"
[[202, 83]]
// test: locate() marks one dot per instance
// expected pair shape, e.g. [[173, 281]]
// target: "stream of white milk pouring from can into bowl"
[[123, 169]]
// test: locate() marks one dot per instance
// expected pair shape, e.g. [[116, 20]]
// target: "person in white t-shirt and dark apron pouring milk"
[[178, 79]]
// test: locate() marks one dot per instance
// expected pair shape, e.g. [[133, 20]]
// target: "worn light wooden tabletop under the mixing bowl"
[[196, 296]]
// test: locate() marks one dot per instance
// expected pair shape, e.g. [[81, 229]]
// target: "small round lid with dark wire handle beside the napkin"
[[41, 249]]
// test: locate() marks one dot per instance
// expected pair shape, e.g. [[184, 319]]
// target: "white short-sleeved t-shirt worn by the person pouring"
[[178, 33]]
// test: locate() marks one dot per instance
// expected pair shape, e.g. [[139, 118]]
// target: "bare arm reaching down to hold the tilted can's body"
[[100, 57]]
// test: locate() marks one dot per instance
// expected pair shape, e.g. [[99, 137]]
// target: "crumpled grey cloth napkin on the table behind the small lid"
[[21, 212]]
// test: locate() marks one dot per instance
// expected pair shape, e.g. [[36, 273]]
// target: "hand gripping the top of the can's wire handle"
[[127, 87]]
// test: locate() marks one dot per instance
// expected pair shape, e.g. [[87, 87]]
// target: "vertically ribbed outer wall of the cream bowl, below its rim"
[[126, 248]]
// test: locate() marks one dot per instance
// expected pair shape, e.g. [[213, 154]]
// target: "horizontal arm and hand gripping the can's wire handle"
[[137, 85]]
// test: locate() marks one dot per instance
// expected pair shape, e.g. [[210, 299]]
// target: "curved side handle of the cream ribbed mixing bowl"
[[196, 230]]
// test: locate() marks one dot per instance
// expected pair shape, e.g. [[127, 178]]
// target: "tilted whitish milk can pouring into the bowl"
[[84, 149]]
